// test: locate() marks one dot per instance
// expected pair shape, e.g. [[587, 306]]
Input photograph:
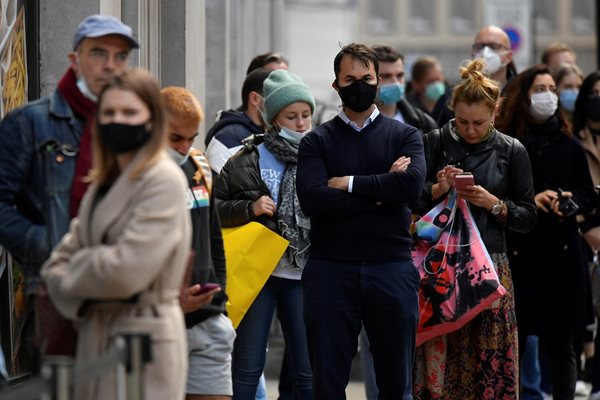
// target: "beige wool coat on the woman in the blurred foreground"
[[135, 241]]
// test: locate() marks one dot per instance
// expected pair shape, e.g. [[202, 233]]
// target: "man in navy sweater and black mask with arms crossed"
[[356, 174]]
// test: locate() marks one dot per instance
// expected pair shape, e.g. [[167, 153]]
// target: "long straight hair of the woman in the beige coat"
[[143, 84]]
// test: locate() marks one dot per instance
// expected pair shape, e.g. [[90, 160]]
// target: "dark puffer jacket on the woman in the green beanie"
[[239, 185]]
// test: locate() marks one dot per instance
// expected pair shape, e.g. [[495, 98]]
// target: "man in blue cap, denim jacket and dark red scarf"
[[45, 152]]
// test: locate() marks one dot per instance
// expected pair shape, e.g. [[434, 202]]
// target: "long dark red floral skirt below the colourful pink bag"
[[480, 360]]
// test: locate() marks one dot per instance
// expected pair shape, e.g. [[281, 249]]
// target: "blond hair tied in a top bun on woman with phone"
[[476, 87]]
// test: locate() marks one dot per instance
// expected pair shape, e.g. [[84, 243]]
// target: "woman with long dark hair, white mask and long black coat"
[[552, 295]]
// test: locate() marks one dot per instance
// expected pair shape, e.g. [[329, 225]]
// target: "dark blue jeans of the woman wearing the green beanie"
[[249, 354]]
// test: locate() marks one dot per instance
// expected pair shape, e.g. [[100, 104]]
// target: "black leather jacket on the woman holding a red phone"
[[500, 164]]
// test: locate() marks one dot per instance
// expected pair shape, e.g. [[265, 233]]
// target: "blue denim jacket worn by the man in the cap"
[[38, 147]]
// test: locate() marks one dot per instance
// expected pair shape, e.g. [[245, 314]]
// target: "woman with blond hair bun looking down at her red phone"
[[480, 360]]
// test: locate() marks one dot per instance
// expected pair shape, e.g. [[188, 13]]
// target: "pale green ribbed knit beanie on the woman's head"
[[282, 88]]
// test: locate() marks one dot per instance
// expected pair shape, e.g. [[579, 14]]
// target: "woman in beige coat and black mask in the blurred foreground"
[[121, 265]]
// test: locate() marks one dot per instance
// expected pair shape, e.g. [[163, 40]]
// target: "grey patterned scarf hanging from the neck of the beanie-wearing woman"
[[292, 222]]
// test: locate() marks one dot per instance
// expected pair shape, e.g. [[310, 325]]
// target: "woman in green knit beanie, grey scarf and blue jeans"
[[259, 184]]
